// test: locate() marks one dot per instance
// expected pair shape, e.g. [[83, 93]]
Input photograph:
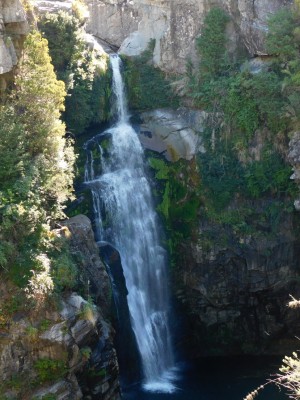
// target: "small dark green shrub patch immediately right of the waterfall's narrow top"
[[147, 86]]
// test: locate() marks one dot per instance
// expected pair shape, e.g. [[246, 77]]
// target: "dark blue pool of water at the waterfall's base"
[[218, 379]]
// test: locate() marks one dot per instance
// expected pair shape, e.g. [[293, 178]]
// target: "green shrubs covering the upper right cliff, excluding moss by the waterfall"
[[247, 134]]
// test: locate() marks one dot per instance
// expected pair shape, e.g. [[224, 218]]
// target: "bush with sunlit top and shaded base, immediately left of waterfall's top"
[[84, 72]]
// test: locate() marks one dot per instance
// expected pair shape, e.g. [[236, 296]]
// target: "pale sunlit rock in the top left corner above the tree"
[[13, 28]]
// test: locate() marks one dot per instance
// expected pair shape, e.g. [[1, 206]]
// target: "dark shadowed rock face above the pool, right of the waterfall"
[[236, 294]]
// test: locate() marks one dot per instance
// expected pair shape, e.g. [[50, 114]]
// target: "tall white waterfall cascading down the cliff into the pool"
[[123, 201]]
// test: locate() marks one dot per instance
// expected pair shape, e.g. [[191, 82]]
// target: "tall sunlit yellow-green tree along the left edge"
[[36, 169]]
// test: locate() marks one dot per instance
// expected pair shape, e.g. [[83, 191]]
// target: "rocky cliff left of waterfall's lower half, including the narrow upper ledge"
[[66, 351]]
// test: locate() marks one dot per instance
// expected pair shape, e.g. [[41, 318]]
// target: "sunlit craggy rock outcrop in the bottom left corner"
[[70, 338]]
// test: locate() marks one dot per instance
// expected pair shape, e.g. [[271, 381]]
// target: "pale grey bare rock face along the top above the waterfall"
[[176, 24]]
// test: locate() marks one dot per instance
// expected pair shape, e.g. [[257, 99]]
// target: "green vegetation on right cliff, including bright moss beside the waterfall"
[[241, 184]]
